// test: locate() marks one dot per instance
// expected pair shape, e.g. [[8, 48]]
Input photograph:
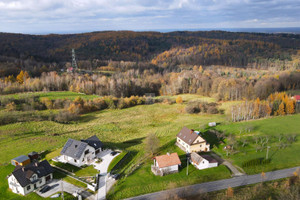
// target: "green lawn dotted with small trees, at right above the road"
[[280, 157]]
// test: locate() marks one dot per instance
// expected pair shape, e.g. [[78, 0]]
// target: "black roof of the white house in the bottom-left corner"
[[23, 174]]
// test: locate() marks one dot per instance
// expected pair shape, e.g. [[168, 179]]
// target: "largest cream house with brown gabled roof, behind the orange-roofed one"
[[191, 141]]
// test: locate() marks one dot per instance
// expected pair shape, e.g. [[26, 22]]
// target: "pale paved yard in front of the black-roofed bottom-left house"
[[57, 186]]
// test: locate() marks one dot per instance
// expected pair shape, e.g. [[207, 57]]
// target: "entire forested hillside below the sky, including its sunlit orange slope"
[[39, 53]]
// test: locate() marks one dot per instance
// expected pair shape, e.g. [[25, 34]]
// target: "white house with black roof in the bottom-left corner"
[[25, 179]]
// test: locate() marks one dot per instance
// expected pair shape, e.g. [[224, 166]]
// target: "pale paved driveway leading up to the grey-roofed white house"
[[103, 166]]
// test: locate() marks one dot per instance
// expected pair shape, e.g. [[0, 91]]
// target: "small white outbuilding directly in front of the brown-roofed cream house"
[[203, 161]]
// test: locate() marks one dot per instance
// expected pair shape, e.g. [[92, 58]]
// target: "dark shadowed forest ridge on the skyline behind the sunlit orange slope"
[[122, 45]]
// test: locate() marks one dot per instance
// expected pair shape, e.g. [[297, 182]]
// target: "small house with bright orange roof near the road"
[[166, 164]]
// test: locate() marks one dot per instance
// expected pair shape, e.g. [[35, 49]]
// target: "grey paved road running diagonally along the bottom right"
[[218, 185]]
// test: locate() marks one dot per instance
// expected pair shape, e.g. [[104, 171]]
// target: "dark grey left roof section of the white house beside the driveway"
[[74, 148]]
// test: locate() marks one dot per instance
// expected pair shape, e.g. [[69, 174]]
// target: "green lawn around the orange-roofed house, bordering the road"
[[143, 181]]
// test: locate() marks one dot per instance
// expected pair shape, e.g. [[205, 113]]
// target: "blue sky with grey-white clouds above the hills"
[[74, 16]]
